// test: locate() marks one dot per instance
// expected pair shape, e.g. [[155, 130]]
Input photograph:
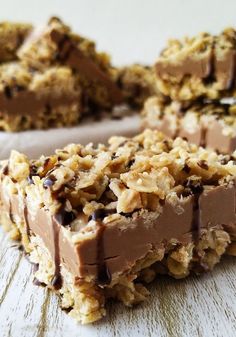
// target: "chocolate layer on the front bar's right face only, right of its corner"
[[180, 222]]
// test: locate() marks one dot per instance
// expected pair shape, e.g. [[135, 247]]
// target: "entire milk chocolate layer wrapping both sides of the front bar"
[[118, 245]]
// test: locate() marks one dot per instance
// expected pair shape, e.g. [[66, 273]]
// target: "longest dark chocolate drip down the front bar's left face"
[[57, 278]]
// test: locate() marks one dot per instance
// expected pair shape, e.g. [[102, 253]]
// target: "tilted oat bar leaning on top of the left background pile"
[[56, 44]]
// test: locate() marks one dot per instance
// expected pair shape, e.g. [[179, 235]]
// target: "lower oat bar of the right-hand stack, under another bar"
[[211, 124]]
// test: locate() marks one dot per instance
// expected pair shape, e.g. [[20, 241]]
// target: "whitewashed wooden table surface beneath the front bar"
[[196, 306]]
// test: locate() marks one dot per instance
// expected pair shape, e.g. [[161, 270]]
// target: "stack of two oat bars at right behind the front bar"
[[196, 79]]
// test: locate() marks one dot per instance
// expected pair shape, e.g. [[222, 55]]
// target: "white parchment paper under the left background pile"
[[37, 142]]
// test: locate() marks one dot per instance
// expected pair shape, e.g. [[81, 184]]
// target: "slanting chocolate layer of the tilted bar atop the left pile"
[[71, 55]]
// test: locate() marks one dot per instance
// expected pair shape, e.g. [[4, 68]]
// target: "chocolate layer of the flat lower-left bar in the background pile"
[[30, 103]]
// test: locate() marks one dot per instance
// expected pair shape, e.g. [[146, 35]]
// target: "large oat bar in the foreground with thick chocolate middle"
[[101, 222]]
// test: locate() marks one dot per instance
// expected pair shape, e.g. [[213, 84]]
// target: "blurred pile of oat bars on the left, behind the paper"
[[51, 77]]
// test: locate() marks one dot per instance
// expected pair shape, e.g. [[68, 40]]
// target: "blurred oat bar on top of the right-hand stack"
[[202, 66]]
